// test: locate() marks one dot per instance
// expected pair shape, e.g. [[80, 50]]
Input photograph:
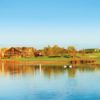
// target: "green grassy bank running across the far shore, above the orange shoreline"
[[58, 60]]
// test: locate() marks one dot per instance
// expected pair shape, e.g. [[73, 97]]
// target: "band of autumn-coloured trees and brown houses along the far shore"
[[50, 51]]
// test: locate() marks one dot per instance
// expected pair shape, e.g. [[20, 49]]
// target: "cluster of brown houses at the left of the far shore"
[[19, 52]]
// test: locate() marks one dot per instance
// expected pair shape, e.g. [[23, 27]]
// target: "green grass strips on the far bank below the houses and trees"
[[59, 59]]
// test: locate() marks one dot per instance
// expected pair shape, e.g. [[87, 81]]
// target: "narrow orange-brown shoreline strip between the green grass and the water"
[[44, 62]]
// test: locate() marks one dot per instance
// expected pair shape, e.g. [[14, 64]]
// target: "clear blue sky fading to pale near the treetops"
[[39, 23]]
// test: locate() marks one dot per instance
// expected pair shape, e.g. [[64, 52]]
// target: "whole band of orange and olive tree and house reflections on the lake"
[[12, 68]]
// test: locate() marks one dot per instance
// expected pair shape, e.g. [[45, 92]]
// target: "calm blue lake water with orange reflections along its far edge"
[[36, 82]]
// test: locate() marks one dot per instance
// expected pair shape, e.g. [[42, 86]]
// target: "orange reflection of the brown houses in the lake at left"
[[9, 68]]
